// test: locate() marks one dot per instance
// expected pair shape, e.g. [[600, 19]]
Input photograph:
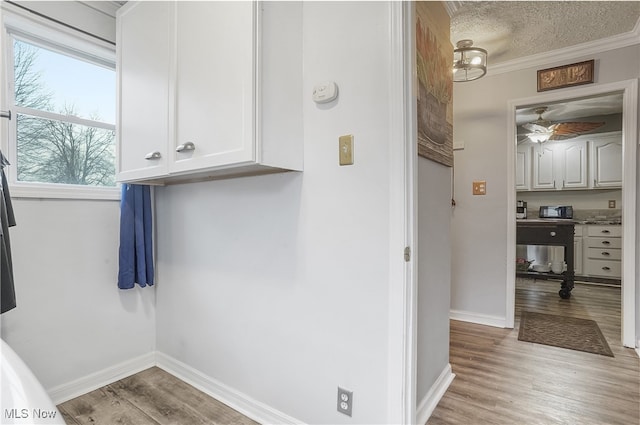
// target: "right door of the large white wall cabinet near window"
[[215, 84]]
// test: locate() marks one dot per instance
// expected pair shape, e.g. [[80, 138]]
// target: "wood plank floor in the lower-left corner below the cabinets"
[[151, 397]]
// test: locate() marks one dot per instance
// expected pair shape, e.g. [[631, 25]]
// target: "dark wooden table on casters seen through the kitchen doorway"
[[553, 233]]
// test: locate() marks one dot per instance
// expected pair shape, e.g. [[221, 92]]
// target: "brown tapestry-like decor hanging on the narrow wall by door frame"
[[434, 56]]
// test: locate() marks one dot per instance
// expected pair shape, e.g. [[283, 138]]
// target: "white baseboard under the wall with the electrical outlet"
[[244, 404]]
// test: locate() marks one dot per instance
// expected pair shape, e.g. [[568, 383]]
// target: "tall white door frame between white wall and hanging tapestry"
[[402, 367]]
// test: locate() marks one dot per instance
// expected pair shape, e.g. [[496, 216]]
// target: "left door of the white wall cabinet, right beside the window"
[[143, 63]]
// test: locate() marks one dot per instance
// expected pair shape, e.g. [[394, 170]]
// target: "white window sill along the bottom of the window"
[[58, 191]]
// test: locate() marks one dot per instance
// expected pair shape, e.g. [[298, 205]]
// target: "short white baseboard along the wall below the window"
[[91, 382]]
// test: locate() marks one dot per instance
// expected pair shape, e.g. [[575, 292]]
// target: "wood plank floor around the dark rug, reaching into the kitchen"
[[500, 380]]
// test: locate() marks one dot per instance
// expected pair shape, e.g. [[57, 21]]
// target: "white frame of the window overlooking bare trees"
[[33, 29]]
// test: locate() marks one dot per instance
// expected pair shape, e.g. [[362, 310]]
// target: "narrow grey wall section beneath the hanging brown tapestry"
[[434, 272]]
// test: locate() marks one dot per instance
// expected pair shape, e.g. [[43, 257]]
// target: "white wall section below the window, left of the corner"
[[71, 320]]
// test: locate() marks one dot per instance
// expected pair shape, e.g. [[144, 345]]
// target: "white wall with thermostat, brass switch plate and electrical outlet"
[[277, 286]]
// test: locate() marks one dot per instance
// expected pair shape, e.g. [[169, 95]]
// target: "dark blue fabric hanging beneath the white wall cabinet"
[[136, 242]]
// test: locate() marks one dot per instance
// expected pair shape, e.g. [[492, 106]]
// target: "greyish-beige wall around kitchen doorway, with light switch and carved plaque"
[[479, 229]]
